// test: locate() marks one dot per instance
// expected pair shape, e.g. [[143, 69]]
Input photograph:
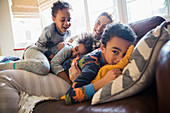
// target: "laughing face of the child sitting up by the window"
[[62, 20]]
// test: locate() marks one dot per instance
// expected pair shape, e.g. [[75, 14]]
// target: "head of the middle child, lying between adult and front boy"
[[84, 45]]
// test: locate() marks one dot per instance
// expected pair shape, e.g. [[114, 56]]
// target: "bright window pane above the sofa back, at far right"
[[140, 9]]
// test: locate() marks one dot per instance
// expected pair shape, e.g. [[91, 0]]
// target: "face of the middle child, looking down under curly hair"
[[78, 50]]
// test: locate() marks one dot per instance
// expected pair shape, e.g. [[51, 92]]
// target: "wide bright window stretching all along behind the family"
[[85, 12]]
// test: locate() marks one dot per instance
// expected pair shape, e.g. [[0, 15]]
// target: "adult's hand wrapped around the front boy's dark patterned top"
[[74, 71]]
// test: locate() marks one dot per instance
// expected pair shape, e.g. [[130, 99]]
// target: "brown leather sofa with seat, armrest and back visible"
[[154, 99]]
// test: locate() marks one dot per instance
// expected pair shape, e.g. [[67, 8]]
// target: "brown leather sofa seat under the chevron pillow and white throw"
[[144, 102]]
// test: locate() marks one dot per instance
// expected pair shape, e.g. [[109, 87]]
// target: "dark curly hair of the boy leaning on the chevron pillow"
[[119, 30]]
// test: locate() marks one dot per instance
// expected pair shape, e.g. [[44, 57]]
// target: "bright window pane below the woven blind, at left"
[[26, 31]]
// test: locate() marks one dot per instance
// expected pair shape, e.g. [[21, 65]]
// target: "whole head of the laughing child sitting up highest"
[[61, 15]]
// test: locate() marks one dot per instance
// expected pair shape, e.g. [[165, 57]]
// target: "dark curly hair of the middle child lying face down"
[[87, 40]]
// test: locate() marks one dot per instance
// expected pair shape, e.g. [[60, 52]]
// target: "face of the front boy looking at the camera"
[[115, 50]]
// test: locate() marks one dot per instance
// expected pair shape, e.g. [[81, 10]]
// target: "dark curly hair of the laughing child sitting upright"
[[59, 5]]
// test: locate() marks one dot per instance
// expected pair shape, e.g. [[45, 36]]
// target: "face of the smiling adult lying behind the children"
[[100, 25]]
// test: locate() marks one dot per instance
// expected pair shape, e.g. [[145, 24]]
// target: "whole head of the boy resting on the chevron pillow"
[[116, 39]]
